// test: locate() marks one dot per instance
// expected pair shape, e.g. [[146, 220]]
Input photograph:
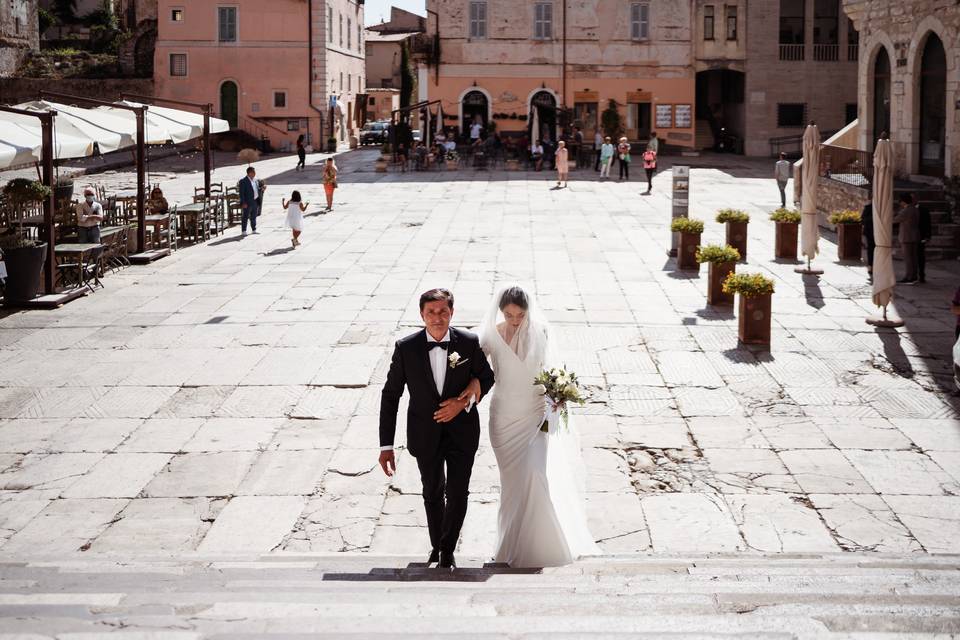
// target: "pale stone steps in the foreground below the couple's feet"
[[359, 595]]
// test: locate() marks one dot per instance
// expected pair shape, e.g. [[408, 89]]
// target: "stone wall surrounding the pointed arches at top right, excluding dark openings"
[[902, 28]]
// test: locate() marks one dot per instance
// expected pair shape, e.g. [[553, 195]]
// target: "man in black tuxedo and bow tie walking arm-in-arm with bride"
[[447, 374]]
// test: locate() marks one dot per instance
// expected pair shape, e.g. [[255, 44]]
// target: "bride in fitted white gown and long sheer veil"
[[541, 520]]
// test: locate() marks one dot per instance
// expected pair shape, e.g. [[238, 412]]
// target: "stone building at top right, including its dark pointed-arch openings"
[[908, 81]]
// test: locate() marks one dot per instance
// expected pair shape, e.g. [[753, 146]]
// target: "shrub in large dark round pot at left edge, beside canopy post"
[[23, 257]]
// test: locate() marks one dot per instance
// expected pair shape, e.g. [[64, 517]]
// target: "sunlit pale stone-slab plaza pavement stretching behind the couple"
[[224, 399]]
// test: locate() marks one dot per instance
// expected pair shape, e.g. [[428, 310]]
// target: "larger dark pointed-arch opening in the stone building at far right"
[[933, 106]]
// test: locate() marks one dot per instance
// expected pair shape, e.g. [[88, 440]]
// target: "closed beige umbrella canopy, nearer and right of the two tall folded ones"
[[883, 276]]
